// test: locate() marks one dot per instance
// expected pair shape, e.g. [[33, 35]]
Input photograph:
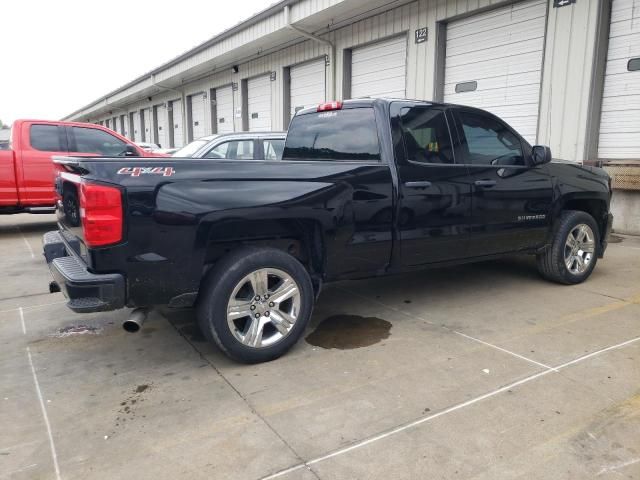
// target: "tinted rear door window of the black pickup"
[[426, 135]]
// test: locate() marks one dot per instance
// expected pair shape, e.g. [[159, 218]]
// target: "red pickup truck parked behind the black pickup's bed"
[[27, 171]]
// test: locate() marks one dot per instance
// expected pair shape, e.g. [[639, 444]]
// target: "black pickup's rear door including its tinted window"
[[435, 195]]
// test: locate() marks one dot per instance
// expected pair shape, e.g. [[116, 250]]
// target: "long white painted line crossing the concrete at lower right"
[[446, 411]]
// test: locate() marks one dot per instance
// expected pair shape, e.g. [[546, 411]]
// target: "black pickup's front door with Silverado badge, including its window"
[[511, 198]]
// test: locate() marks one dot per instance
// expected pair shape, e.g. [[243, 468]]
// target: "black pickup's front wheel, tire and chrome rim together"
[[574, 250]]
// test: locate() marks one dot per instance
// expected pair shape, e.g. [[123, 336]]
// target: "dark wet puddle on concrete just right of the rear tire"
[[345, 332]]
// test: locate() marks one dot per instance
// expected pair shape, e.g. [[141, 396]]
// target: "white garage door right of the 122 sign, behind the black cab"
[[494, 62]]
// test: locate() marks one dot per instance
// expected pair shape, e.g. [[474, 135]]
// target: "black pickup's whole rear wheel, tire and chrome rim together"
[[255, 304]]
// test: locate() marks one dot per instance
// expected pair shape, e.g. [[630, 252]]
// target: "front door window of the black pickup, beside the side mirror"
[[489, 142]]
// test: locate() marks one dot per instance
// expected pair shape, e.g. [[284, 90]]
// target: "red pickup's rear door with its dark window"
[[36, 170]]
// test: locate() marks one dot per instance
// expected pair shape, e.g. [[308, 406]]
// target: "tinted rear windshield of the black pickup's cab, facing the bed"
[[334, 135]]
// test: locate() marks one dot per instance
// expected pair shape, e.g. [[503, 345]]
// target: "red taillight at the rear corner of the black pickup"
[[101, 214]]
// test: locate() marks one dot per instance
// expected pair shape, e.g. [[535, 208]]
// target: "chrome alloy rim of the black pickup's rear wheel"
[[263, 307]]
